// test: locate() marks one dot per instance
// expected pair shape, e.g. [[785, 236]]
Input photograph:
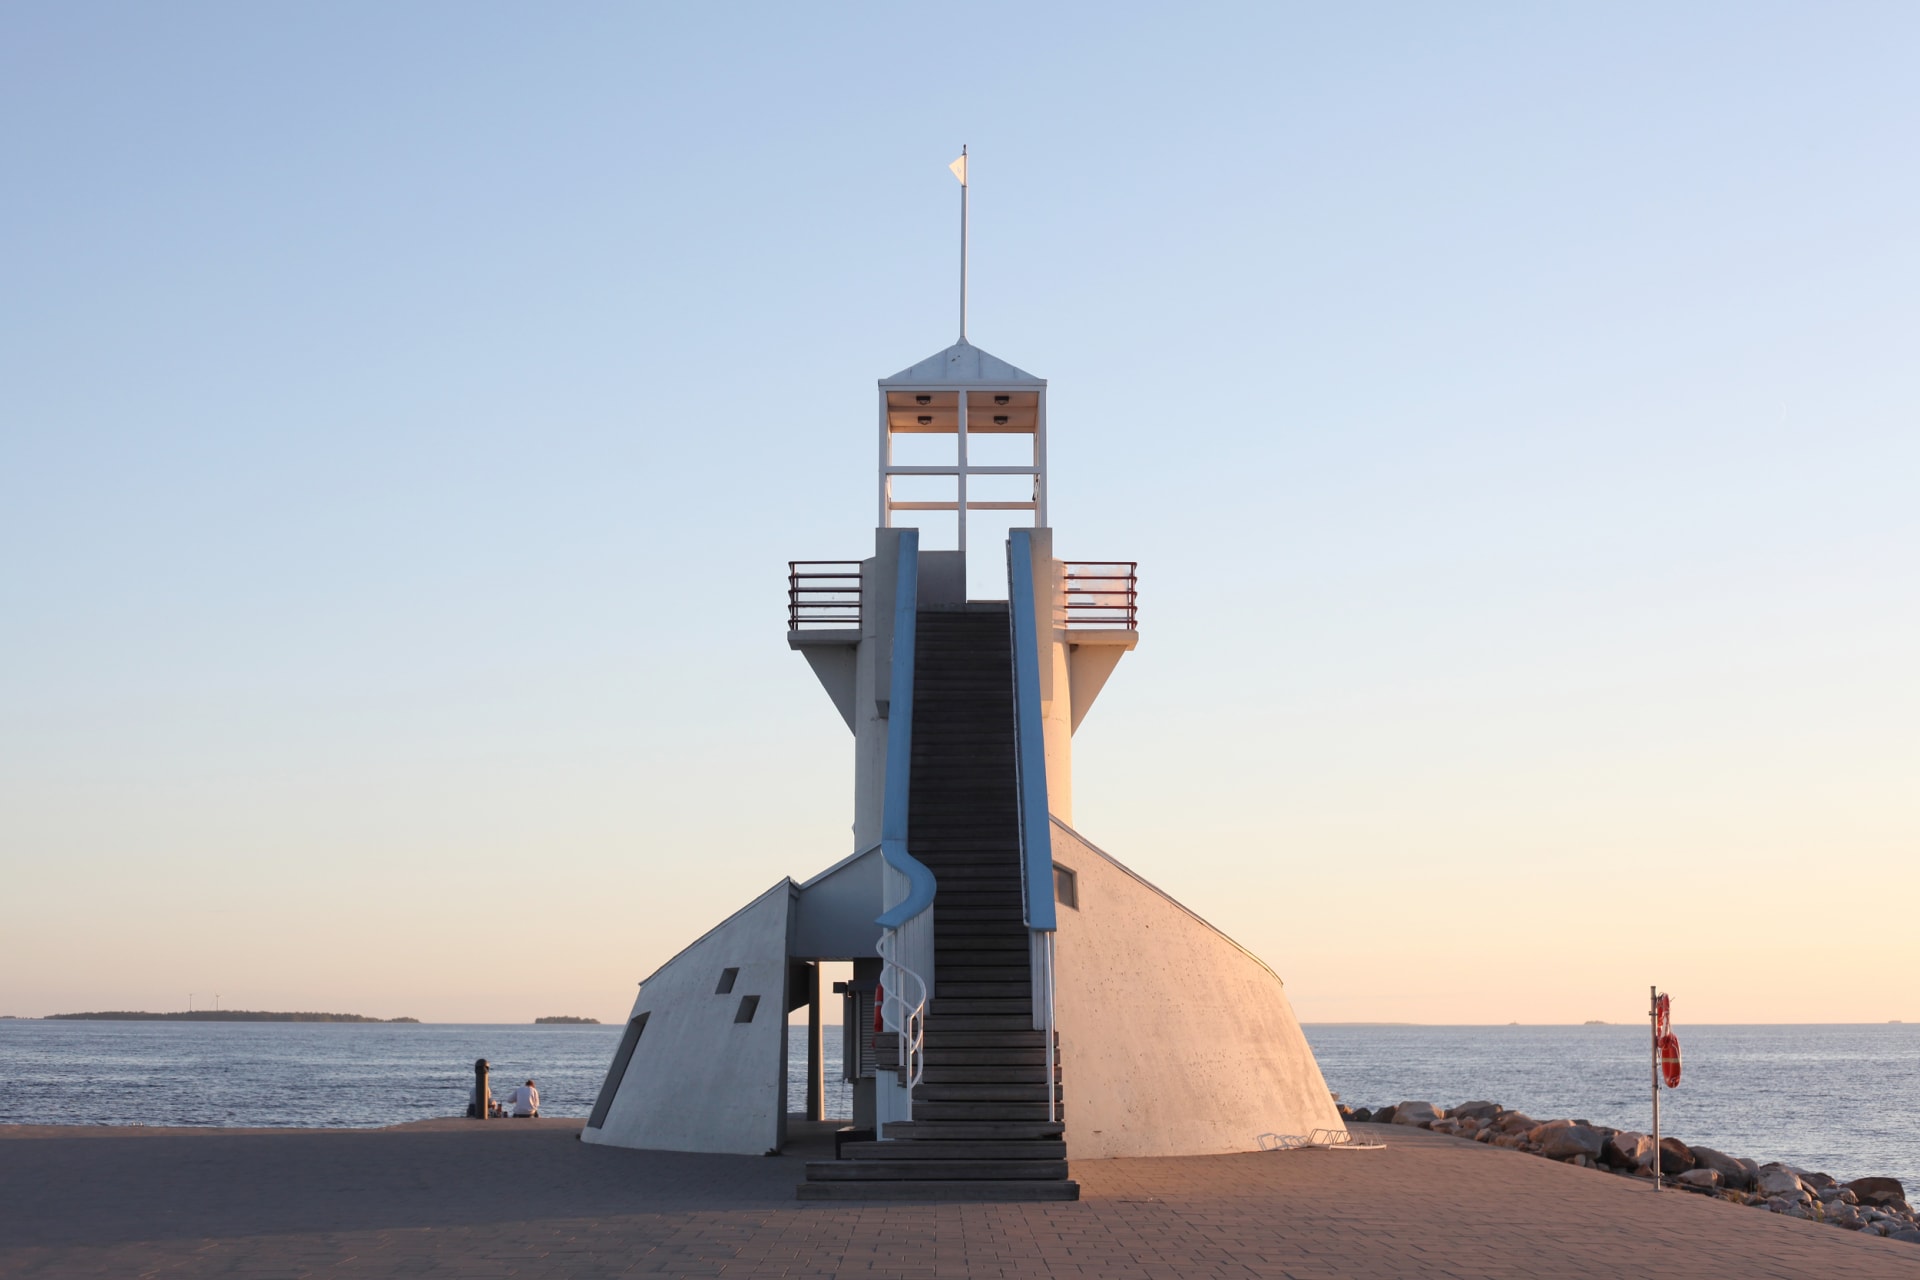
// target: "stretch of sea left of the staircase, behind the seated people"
[[270, 1076]]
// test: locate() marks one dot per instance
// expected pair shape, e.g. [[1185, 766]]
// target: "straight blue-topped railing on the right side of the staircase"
[[1030, 772]]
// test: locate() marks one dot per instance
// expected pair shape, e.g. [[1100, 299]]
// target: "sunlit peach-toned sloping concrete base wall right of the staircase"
[[1174, 1041]]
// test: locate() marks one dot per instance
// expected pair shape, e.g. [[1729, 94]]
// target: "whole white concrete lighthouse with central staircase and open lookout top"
[[1019, 997]]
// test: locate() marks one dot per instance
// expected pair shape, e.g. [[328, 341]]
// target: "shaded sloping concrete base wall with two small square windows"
[[700, 1081]]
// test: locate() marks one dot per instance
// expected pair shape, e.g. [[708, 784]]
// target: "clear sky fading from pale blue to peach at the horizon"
[[408, 414]]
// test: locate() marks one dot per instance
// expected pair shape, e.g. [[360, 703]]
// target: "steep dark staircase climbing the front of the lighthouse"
[[980, 1126]]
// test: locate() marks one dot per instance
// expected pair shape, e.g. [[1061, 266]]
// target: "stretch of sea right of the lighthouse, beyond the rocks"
[[1844, 1101]]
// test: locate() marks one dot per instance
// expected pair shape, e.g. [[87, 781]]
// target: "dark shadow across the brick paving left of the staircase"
[[105, 1189]]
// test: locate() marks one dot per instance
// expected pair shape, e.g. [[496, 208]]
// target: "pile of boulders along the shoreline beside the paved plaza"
[[1865, 1204]]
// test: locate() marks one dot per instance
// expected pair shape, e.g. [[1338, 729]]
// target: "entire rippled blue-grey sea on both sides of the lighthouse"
[[1844, 1099]]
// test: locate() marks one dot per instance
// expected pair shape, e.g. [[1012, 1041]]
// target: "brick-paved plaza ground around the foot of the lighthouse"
[[460, 1198]]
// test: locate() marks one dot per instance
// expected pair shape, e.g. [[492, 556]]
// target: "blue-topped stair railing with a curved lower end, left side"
[[907, 924]]
